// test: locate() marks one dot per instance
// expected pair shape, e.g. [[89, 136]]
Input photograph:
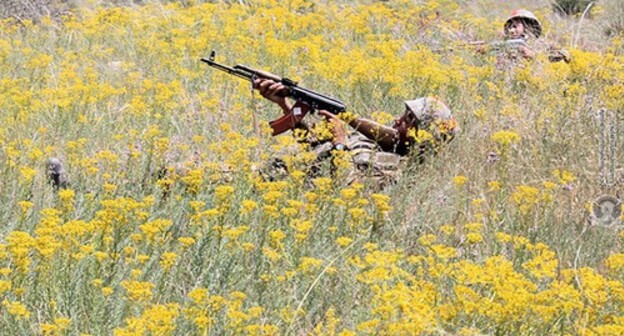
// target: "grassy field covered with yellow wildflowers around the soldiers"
[[168, 229]]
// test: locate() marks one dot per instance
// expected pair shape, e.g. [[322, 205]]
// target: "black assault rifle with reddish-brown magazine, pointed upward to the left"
[[307, 100]]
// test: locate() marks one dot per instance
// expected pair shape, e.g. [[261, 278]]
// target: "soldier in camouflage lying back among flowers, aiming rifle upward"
[[377, 151]]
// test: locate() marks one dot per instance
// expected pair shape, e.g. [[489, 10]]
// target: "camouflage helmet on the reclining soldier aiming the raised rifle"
[[433, 116]]
